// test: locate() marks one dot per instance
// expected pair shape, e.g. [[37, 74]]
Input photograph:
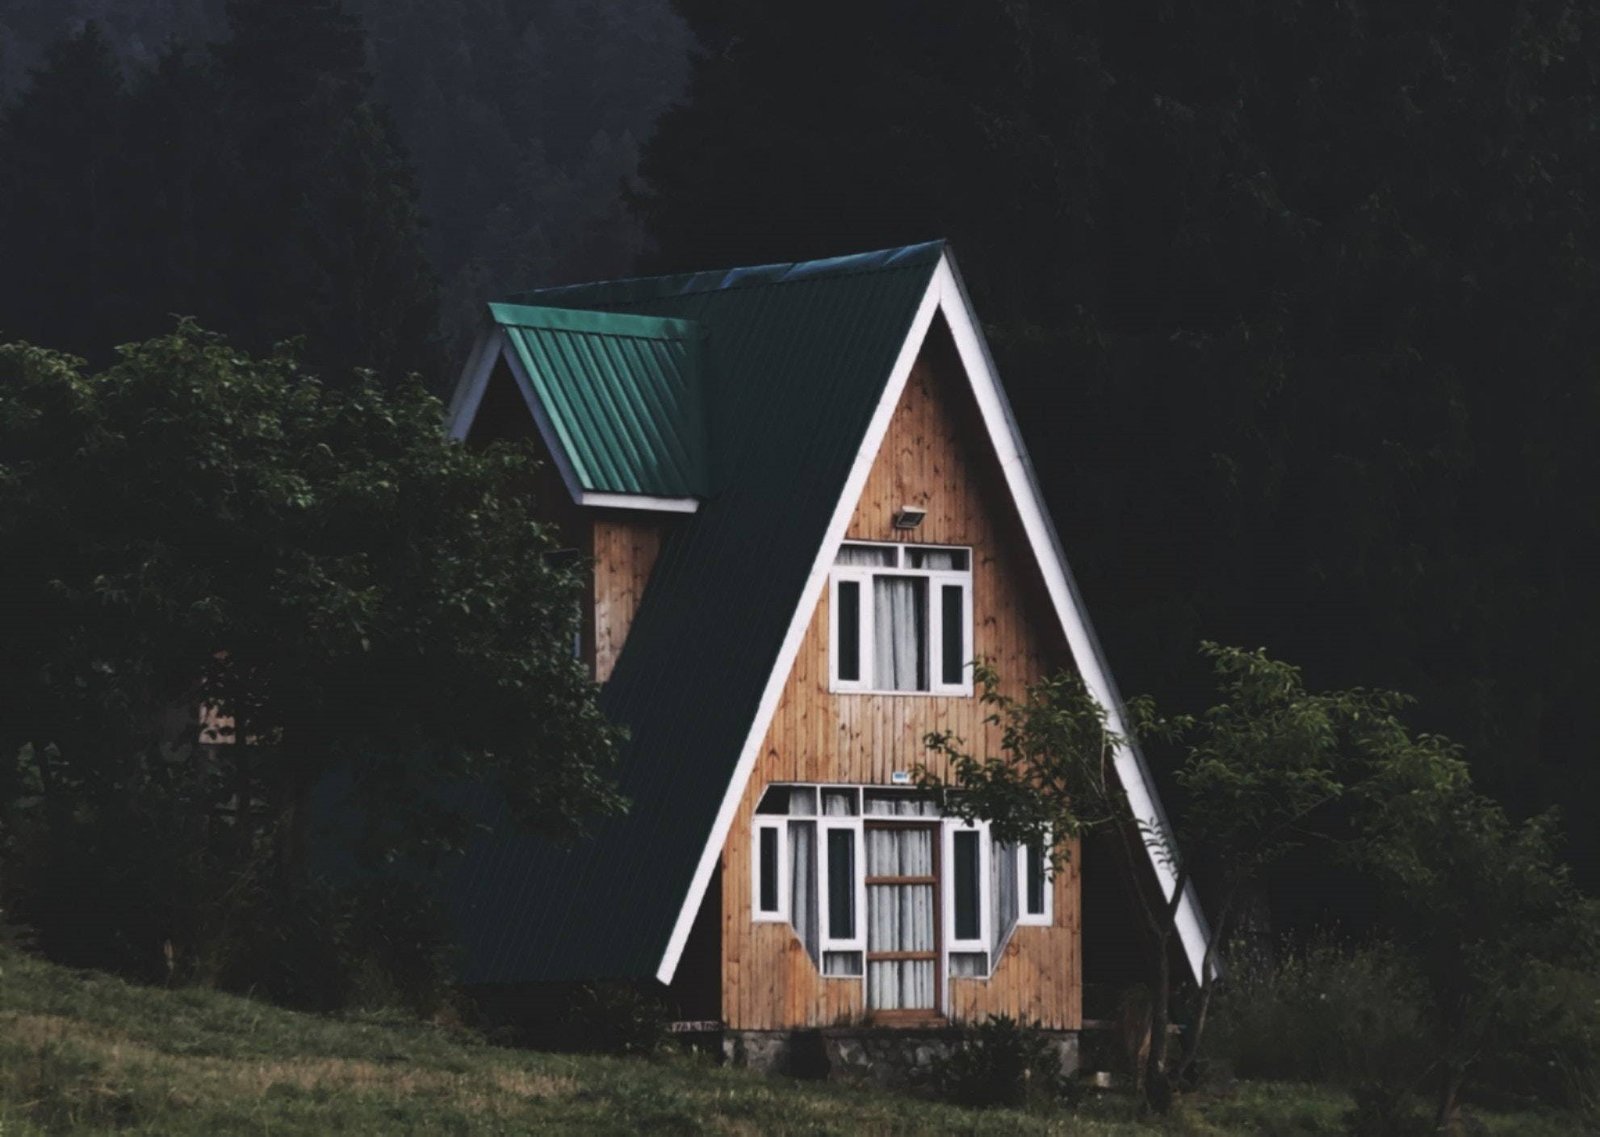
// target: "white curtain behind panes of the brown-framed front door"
[[900, 919]]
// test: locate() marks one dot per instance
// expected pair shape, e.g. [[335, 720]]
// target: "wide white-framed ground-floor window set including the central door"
[[882, 890]]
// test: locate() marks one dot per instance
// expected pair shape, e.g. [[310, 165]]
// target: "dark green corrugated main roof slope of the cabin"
[[794, 362]]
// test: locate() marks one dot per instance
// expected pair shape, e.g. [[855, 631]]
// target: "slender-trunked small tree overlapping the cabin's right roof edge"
[[1260, 772]]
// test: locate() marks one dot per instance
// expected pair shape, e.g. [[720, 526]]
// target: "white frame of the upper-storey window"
[[863, 576]]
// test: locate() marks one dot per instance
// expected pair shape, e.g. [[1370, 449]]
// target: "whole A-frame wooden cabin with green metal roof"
[[807, 509]]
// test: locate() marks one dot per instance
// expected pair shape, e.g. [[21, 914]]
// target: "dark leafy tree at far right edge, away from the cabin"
[[1502, 936]]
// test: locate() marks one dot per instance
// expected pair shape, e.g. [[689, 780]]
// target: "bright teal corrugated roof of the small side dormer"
[[623, 396]]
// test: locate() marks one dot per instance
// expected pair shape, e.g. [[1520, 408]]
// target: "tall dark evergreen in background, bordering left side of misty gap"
[[324, 218]]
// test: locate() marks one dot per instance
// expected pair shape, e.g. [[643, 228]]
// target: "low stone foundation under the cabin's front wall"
[[868, 1055]]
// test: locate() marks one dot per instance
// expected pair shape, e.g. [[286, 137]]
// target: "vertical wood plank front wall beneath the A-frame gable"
[[934, 457]]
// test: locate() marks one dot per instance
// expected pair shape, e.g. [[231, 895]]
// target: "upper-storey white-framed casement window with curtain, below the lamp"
[[902, 620]]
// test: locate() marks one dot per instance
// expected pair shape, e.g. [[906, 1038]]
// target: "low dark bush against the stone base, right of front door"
[[1002, 1064]]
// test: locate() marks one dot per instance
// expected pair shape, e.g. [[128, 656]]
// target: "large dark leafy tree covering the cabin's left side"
[[369, 607]]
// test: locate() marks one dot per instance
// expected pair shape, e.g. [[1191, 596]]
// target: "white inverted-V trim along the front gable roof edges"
[[948, 295]]
